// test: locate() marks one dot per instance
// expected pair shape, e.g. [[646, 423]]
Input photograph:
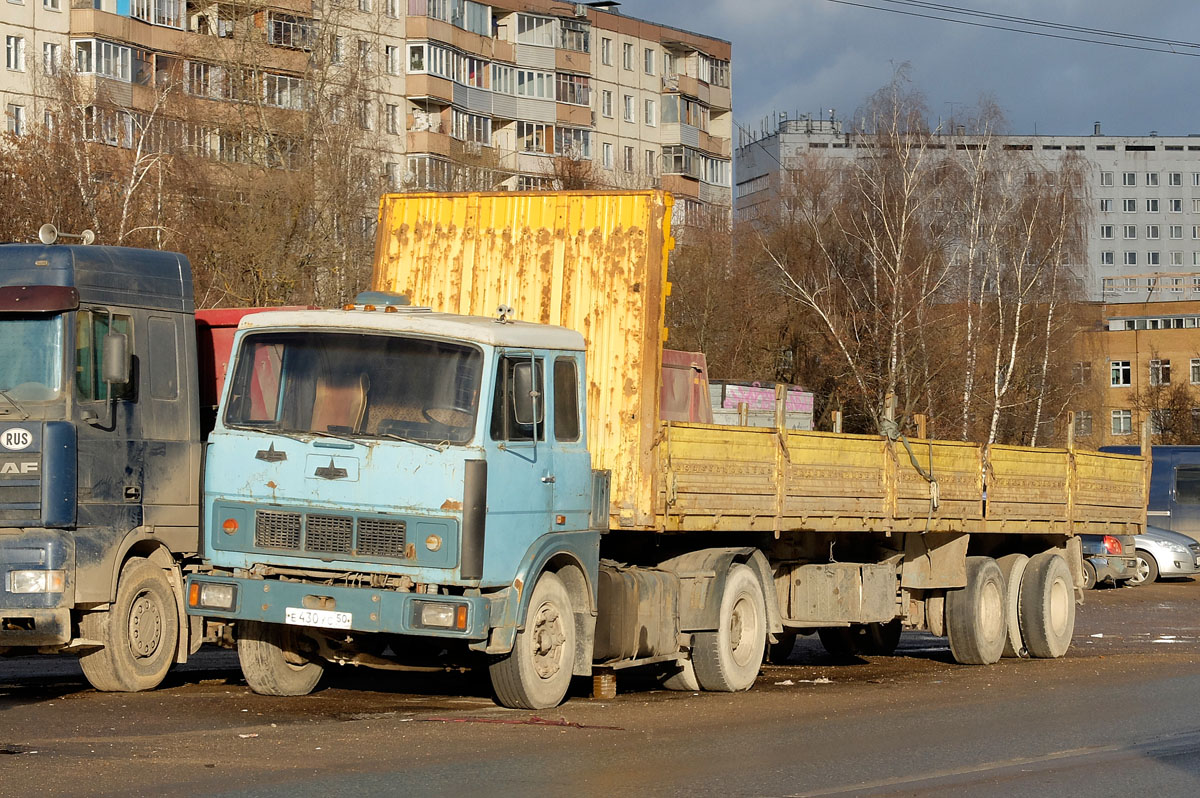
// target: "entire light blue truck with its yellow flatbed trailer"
[[579, 533]]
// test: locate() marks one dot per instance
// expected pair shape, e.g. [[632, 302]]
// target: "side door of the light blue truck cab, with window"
[[521, 464]]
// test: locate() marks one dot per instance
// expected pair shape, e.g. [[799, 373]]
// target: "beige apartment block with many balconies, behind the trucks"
[[454, 94]]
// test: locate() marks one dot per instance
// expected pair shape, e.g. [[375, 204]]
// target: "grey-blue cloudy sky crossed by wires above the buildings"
[[808, 57]]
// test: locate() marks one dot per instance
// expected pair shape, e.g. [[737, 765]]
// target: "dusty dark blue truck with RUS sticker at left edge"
[[101, 434]]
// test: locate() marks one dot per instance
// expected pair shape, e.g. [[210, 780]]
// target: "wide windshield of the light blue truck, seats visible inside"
[[362, 386]]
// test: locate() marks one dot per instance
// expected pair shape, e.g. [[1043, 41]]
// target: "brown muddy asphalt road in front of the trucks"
[[1118, 717]]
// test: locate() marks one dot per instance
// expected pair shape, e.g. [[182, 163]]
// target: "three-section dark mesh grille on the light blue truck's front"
[[329, 535]]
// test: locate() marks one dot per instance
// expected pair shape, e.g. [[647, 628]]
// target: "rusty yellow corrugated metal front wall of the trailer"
[[592, 262]]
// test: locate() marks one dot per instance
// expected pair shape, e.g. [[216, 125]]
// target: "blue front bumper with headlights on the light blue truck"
[[371, 610]]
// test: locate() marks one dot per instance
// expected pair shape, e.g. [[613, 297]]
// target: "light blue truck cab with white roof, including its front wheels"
[[381, 477]]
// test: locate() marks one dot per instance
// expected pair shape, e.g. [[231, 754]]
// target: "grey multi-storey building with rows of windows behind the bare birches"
[[1144, 231]]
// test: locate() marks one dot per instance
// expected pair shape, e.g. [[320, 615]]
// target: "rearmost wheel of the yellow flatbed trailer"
[[1048, 605]]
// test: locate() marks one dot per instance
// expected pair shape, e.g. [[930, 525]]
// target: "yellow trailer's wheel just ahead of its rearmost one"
[[975, 615]]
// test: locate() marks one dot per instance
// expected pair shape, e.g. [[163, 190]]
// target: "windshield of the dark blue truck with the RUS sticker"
[[32, 357]]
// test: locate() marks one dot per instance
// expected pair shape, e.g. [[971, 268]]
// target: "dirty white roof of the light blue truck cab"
[[477, 329]]
